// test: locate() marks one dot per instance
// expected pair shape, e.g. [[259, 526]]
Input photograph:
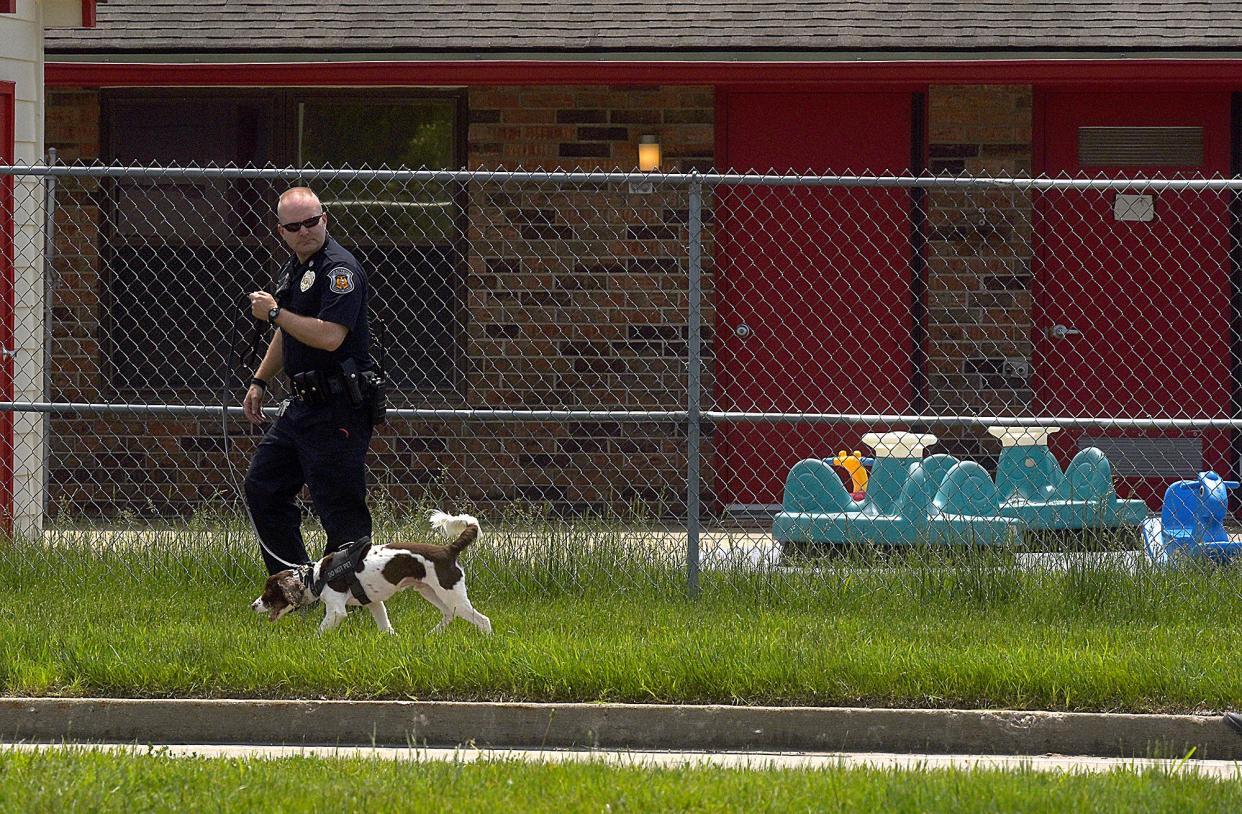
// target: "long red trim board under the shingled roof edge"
[[533, 73]]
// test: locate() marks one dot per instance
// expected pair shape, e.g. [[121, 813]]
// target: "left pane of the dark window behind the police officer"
[[182, 253]]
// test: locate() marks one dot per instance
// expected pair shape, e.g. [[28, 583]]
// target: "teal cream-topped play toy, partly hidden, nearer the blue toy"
[[1034, 489]]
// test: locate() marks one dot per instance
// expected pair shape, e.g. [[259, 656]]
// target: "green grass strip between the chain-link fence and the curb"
[[927, 632]]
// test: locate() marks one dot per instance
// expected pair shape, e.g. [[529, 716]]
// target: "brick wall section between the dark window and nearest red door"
[[578, 296]]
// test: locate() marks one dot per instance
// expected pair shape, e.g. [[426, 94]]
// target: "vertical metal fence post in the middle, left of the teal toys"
[[694, 373]]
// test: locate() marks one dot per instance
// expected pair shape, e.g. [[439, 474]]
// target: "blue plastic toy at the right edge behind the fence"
[[1193, 521]]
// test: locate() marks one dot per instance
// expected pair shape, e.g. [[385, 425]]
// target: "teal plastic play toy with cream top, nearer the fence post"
[[910, 500]]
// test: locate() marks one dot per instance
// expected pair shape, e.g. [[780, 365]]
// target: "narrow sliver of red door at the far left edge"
[[8, 153]]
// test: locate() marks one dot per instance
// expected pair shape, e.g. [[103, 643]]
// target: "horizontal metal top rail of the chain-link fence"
[[664, 180]]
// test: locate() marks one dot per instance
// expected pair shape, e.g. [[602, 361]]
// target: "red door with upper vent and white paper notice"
[[1132, 294]]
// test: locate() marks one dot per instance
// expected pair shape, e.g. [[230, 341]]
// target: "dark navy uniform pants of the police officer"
[[325, 449]]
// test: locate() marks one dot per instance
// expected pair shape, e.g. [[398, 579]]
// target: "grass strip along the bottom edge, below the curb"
[[76, 780]]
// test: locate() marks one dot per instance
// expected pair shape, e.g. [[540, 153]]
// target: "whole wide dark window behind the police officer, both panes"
[[181, 254]]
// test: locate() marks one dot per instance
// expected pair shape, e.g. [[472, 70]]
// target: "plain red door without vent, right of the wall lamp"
[[814, 284]]
